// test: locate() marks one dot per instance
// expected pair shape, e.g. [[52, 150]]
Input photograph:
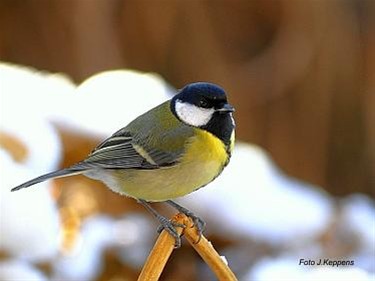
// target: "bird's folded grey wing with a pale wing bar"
[[123, 151]]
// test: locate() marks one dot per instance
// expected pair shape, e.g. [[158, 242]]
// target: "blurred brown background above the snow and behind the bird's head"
[[300, 73]]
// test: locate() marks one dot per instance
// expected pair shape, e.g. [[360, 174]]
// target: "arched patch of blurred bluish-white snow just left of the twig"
[[130, 234]]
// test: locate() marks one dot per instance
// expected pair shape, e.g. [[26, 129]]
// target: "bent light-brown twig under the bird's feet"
[[164, 246]]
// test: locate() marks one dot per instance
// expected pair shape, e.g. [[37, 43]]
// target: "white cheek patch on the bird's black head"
[[192, 114]]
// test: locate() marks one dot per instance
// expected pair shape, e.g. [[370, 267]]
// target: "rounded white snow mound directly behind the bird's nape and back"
[[108, 101]]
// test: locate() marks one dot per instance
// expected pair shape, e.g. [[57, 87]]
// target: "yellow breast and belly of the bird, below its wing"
[[204, 159]]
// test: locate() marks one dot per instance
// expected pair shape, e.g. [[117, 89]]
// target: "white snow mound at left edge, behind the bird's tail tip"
[[29, 223]]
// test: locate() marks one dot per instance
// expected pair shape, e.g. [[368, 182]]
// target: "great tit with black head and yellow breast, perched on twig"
[[172, 150]]
